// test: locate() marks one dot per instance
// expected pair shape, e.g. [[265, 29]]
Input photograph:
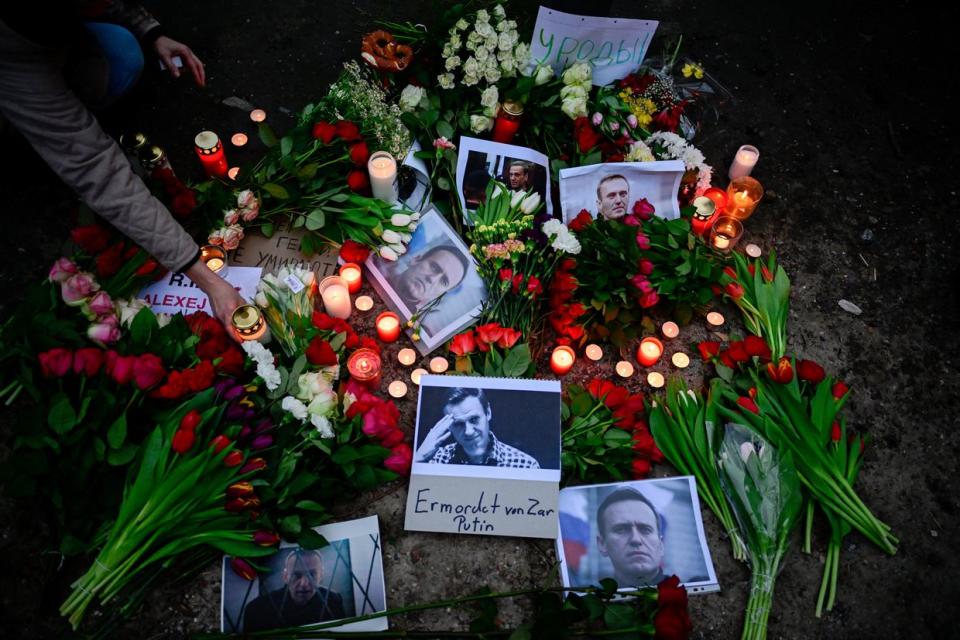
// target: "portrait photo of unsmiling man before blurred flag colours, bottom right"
[[637, 533]]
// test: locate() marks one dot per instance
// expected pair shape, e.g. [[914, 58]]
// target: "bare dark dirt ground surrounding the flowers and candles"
[[848, 106]]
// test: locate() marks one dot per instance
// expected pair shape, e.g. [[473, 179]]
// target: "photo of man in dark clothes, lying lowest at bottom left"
[[301, 586]]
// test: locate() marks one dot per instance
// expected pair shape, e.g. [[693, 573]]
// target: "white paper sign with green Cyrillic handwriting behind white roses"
[[614, 46]]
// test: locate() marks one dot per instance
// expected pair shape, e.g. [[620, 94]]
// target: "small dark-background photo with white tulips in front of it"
[[519, 168]]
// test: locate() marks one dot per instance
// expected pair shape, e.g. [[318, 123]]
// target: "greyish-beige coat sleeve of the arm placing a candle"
[[35, 99]]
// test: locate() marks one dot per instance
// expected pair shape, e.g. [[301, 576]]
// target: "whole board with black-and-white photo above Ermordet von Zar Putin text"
[[487, 458]]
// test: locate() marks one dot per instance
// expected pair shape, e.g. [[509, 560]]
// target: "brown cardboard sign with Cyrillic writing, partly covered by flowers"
[[282, 249]]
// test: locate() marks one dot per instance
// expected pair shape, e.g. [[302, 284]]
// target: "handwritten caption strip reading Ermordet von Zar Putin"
[[493, 506]]
